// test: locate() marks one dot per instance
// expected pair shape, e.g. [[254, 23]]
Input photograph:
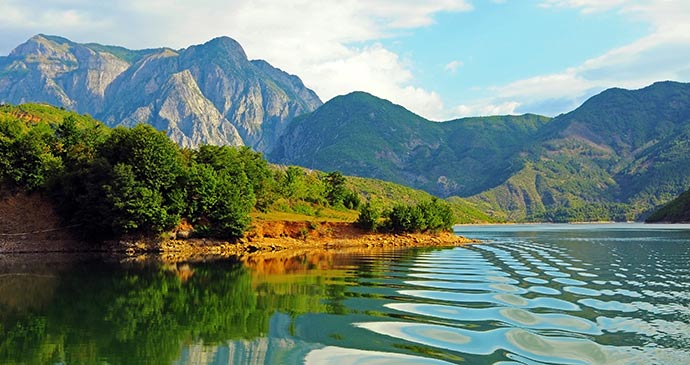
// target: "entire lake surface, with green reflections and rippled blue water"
[[533, 294]]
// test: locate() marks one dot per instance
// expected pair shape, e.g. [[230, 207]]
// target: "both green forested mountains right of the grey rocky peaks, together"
[[619, 155]]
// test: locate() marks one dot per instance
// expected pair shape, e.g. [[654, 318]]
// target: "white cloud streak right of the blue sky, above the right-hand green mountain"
[[662, 55]]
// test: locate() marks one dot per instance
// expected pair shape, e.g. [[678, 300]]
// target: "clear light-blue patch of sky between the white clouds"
[[497, 43]]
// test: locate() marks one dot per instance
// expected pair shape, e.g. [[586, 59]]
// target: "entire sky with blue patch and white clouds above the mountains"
[[442, 59]]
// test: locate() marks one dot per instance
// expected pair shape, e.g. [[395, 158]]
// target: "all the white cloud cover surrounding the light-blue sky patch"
[[332, 44]]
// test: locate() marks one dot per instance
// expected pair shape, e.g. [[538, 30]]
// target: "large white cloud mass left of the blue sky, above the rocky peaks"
[[324, 42]]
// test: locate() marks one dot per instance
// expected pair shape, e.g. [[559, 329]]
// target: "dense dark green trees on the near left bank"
[[129, 181]]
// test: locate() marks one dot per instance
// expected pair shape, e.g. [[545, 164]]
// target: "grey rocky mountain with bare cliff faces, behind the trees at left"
[[209, 93]]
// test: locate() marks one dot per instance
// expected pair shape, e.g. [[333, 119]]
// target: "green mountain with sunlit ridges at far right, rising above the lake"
[[617, 157]]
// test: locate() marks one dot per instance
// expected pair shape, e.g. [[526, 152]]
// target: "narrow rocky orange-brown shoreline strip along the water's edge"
[[265, 237]]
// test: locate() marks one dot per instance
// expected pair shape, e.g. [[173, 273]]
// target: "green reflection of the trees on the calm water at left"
[[101, 313]]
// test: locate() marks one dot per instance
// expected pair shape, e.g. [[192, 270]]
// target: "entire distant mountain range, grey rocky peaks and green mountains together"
[[617, 157]]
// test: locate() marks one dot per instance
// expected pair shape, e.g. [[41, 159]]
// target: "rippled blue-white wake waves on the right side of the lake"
[[547, 301]]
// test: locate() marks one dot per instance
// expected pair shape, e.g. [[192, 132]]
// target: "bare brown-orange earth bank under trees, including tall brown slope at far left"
[[29, 224]]
